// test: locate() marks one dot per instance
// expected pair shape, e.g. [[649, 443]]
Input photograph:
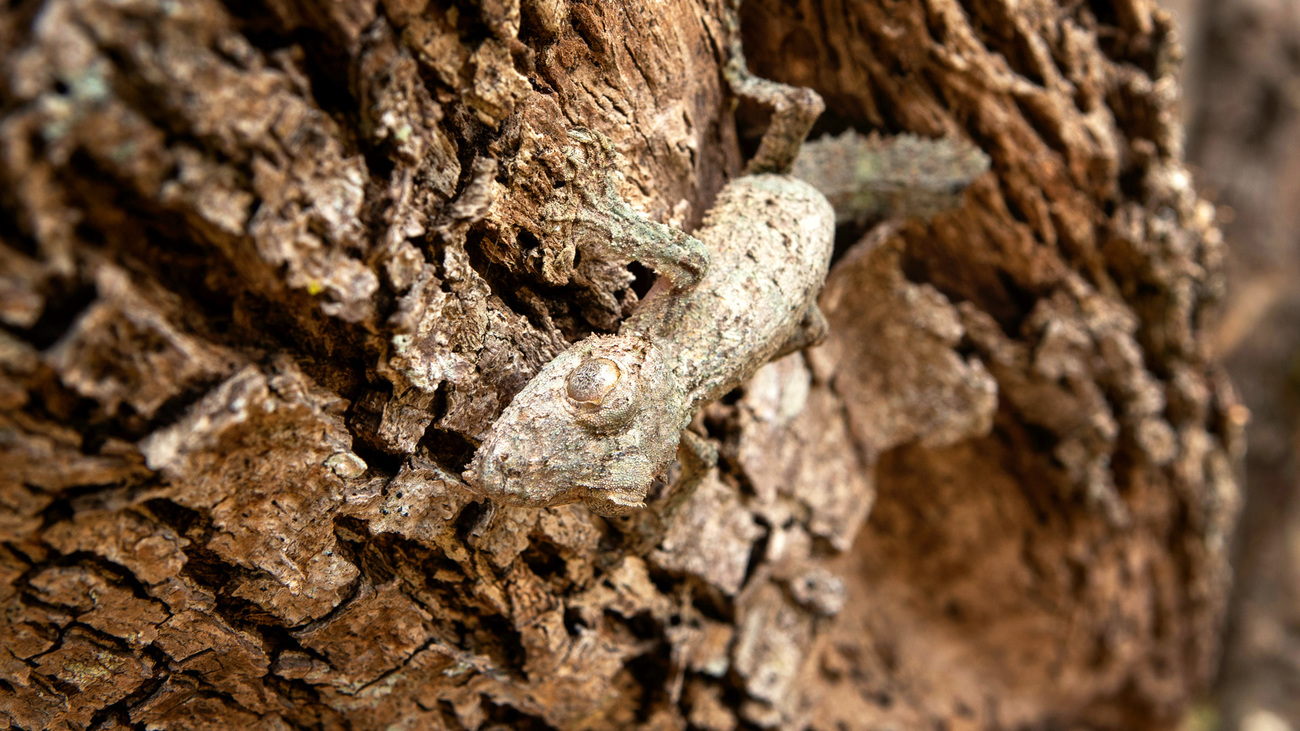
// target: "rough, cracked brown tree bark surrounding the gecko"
[[271, 270]]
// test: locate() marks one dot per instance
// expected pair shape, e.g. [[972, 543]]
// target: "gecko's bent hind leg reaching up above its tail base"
[[795, 109]]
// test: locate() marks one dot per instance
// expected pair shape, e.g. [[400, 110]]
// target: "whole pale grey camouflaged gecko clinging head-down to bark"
[[608, 416]]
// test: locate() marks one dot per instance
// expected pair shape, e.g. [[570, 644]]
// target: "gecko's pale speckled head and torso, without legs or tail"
[[570, 438]]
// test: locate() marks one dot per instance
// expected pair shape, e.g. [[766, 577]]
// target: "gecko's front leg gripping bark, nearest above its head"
[[591, 210]]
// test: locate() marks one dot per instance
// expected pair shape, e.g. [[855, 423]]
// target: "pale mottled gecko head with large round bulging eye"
[[596, 425]]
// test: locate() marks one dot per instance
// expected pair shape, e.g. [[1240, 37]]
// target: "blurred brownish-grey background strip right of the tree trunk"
[[1242, 107]]
